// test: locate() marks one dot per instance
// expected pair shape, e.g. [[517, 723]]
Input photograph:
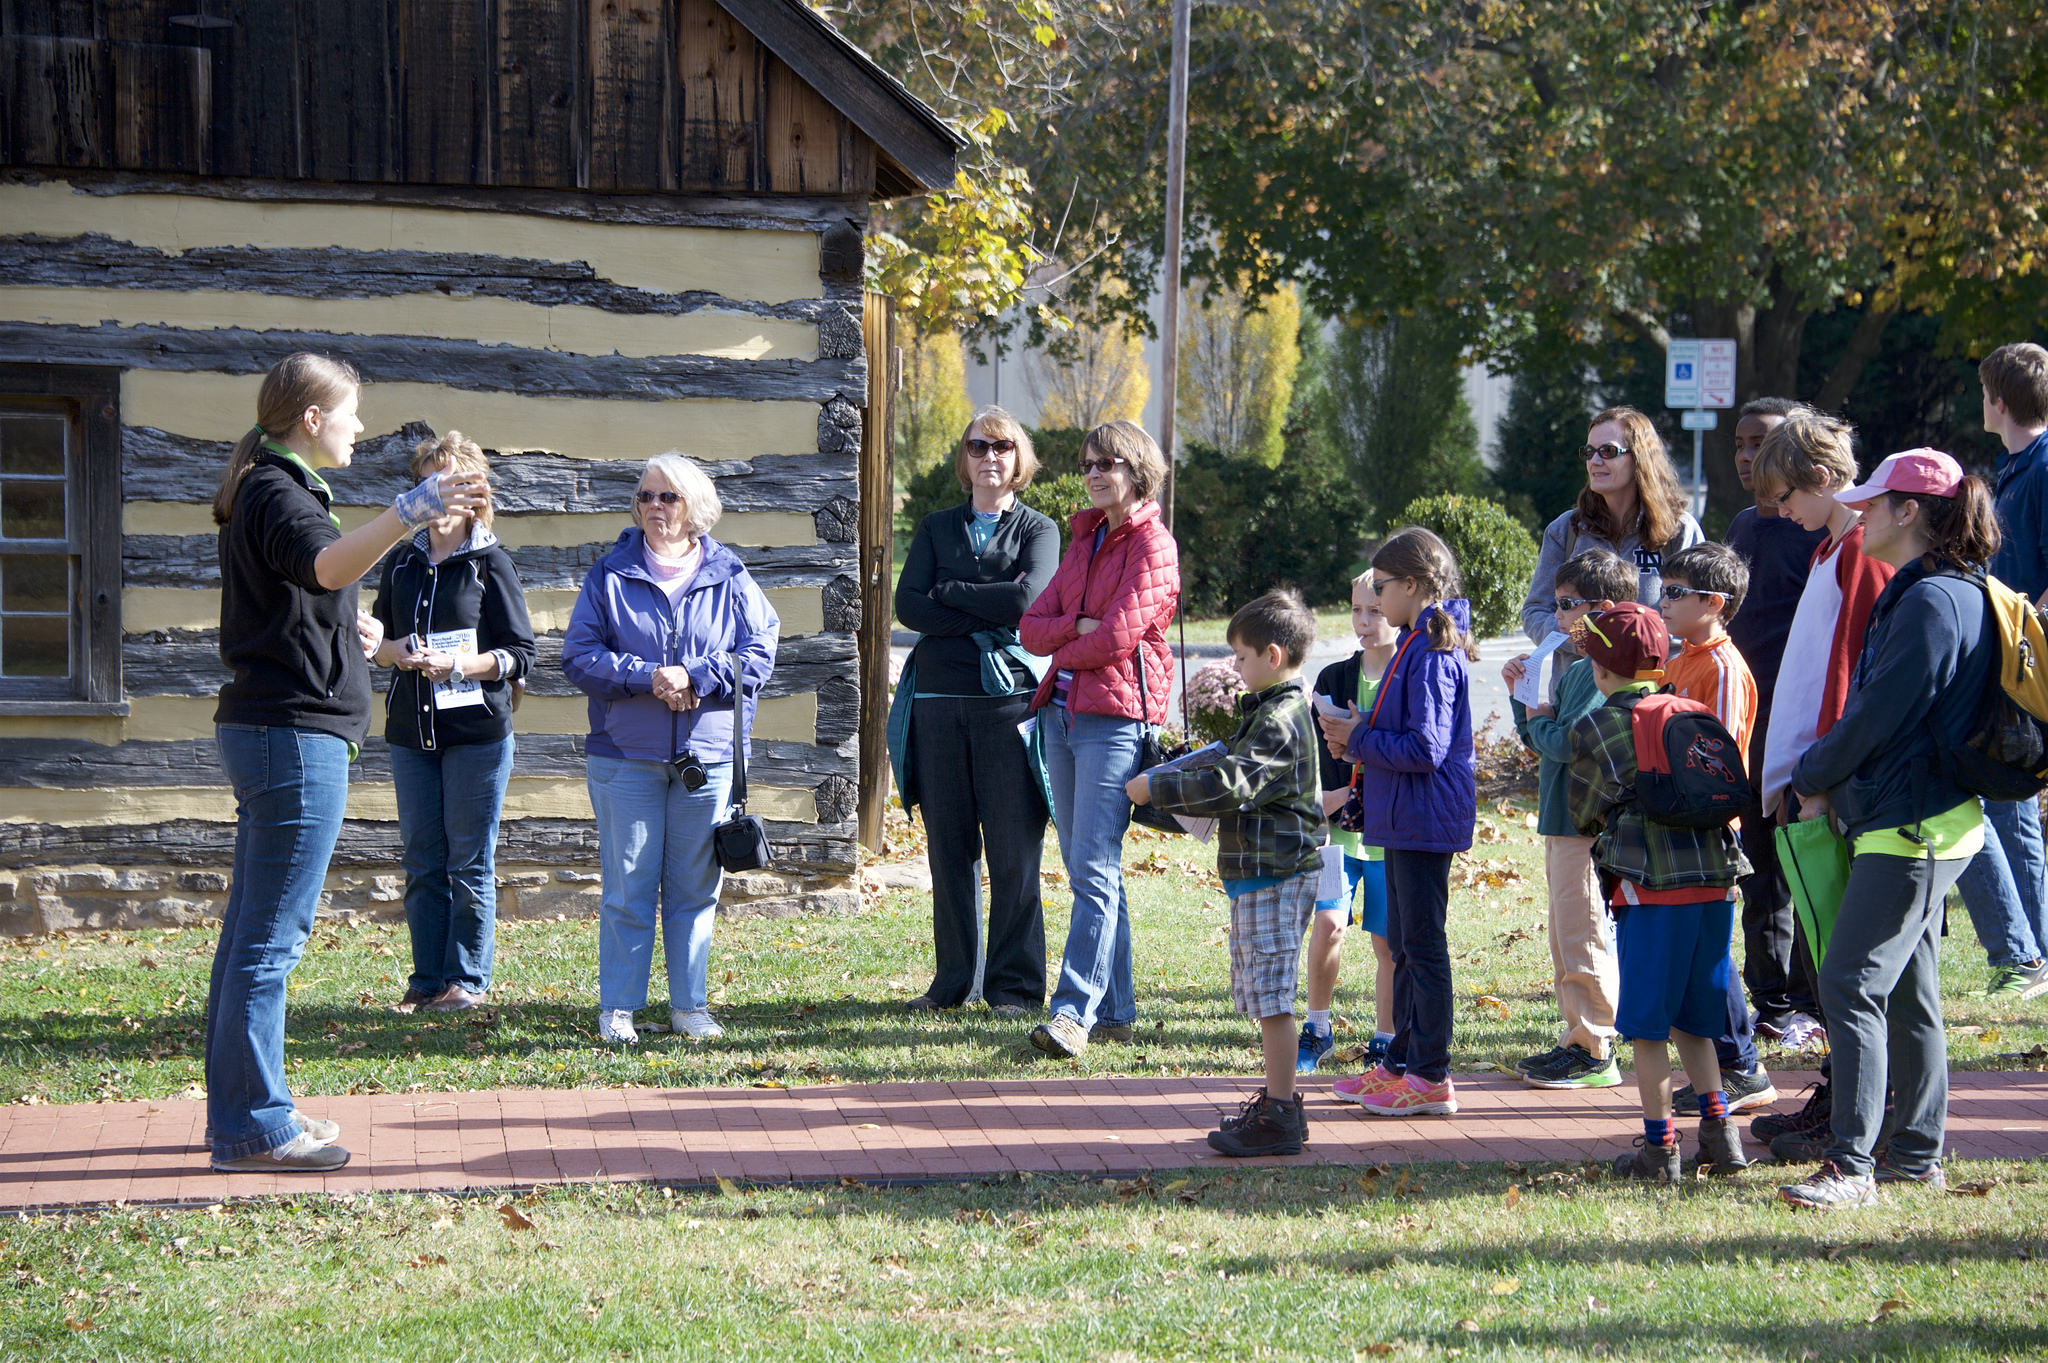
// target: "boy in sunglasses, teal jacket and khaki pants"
[[1582, 942]]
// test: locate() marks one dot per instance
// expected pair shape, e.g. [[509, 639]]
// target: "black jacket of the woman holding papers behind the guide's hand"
[[476, 588]]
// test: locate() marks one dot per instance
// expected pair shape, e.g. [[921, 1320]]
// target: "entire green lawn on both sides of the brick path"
[[1310, 1264]]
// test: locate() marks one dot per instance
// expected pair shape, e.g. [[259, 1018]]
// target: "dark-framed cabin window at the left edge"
[[60, 541]]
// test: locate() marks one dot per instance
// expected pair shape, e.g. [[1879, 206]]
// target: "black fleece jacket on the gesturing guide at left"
[[290, 642]]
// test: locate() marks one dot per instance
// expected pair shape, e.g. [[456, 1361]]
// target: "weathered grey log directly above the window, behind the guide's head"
[[427, 359]]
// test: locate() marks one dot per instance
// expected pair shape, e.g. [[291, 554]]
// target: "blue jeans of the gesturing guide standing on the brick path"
[[292, 791]]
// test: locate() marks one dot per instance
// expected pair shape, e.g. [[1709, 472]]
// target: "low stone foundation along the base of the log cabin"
[[103, 897]]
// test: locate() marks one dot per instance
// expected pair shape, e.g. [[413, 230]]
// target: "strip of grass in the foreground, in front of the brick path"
[[1428, 1262]]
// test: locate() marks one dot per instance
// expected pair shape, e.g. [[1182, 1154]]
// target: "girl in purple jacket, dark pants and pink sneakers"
[[1420, 803]]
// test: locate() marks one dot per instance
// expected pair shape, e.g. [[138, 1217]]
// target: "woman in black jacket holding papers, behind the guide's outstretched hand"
[[456, 627]]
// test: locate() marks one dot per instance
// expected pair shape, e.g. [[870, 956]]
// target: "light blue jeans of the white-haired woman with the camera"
[[654, 842]]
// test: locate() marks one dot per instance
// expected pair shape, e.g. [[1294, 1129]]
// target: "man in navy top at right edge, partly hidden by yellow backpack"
[[2016, 412]]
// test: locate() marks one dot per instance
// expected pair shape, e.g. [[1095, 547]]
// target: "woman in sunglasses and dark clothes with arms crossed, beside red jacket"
[[968, 580]]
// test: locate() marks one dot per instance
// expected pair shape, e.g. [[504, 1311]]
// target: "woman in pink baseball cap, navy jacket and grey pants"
[[1928, 654]]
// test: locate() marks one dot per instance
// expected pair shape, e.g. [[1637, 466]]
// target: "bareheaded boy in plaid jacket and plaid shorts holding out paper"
[[1267, 797]]
